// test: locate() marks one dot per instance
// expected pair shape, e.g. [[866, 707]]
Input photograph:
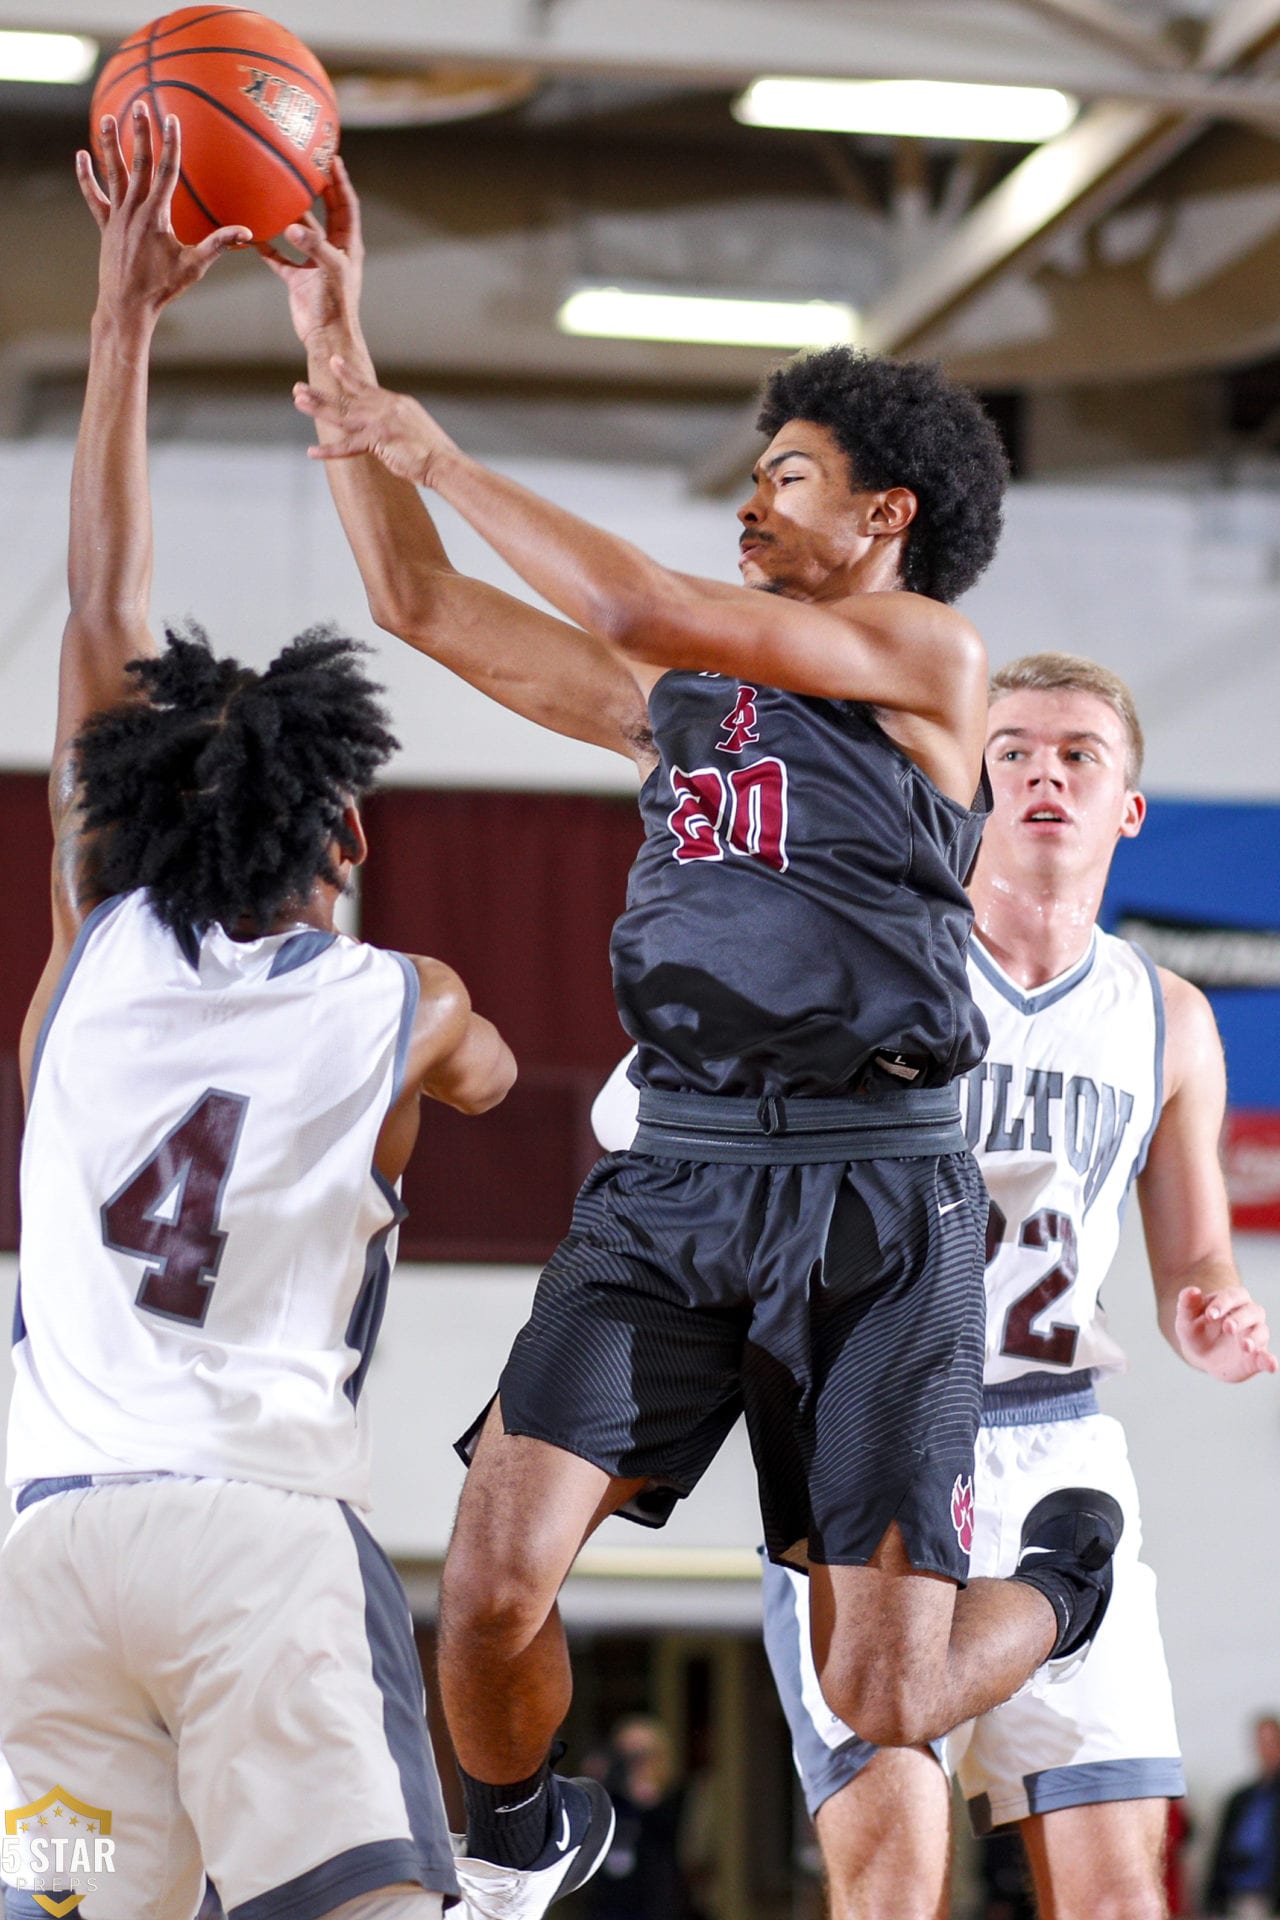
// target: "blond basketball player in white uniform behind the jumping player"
[[1102, 1074]]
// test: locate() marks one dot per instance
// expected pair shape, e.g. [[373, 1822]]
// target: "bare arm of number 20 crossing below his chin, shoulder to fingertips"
[[893, 650]]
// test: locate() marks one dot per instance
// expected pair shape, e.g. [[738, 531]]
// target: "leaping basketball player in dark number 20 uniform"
[[801, 1230]]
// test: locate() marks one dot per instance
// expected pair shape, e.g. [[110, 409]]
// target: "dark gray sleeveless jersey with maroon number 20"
[[797, 905]]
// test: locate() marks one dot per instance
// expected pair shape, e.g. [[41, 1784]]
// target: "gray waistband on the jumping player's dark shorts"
[[782, 1130]]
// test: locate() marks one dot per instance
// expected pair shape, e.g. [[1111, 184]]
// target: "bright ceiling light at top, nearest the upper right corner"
[[932, 110]]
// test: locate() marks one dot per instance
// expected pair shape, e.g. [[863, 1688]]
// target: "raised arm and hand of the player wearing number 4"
[[141, 270]]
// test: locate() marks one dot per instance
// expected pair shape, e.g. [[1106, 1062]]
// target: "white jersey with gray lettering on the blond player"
[[1060, 1115]]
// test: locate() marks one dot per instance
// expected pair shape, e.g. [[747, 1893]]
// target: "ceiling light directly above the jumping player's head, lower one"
[[713, 320]]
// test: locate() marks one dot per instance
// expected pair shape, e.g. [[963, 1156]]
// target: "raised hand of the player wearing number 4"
[[143, 264]]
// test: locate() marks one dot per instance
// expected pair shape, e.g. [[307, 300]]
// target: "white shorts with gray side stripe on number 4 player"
[[220, 1677]]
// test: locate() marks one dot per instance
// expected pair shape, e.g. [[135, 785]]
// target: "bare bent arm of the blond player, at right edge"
[[1206, 1312]]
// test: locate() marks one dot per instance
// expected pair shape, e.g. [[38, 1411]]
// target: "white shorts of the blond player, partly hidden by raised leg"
[[1095, 1729]]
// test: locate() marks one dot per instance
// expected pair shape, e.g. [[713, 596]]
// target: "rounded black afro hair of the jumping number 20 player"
[[903, 423]]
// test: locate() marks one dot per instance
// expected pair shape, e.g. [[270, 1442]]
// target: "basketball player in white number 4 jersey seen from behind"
[[199, 1637]]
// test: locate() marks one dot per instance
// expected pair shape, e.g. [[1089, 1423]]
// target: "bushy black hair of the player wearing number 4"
[[222, 788]]
